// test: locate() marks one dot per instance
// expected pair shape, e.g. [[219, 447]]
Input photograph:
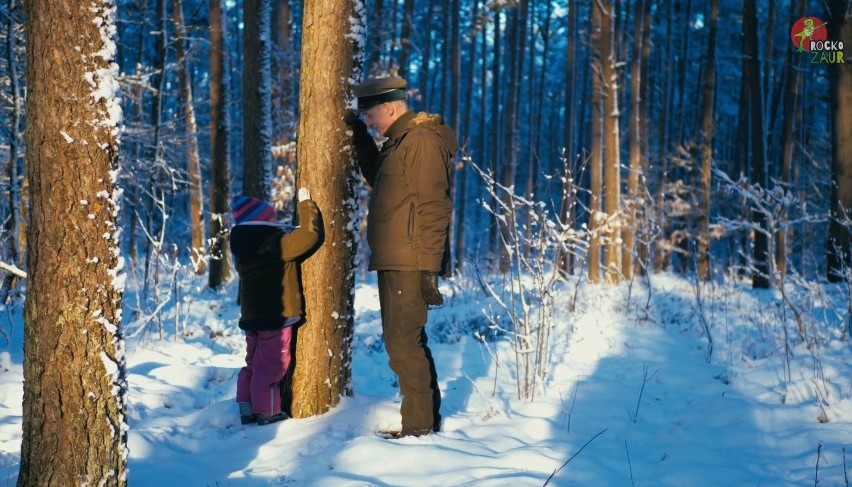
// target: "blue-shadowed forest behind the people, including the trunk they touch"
[[613, 139]]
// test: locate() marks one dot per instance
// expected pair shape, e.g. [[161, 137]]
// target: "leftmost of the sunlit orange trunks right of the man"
[[596, 156]]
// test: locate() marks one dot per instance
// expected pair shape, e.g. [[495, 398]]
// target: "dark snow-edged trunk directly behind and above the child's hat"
[[257, 100]]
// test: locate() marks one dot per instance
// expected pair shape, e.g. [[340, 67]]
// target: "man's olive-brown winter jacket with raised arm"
[[410, 207]]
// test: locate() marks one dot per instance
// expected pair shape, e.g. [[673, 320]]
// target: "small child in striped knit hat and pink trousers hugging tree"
[[270, 298]]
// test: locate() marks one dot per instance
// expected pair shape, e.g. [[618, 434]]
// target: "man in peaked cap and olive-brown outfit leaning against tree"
[[408, 233]]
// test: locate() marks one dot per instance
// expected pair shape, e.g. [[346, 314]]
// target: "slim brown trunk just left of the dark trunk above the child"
[[220, 130]]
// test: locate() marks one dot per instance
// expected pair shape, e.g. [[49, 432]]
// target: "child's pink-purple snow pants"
[[267, 361]]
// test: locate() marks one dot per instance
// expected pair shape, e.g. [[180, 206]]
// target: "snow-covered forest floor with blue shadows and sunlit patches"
[[630, 397]]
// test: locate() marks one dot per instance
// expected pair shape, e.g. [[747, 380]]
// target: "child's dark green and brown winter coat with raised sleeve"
[[266, 259]]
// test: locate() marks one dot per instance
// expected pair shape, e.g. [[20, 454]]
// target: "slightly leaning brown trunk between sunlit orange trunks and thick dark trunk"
[[708, 133]]
